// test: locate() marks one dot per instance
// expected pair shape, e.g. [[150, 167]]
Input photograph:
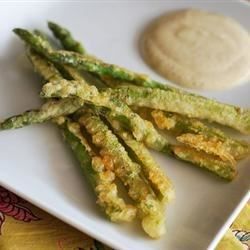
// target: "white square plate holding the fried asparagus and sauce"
[[36, 164]]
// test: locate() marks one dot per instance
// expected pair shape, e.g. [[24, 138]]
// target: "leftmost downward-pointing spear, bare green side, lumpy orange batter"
[[98, 172]]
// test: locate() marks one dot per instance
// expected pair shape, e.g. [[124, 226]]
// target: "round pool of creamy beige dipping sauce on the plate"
[[198, 49]]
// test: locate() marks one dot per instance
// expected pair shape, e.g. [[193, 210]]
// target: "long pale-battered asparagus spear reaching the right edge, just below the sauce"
[[185, 104]]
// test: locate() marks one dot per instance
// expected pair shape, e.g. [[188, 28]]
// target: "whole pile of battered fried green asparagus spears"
[[109, 115]]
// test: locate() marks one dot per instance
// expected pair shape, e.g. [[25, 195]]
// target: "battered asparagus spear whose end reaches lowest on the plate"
[[150, 210]]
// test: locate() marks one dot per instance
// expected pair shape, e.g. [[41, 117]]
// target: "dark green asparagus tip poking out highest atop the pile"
[[64, 35]]
